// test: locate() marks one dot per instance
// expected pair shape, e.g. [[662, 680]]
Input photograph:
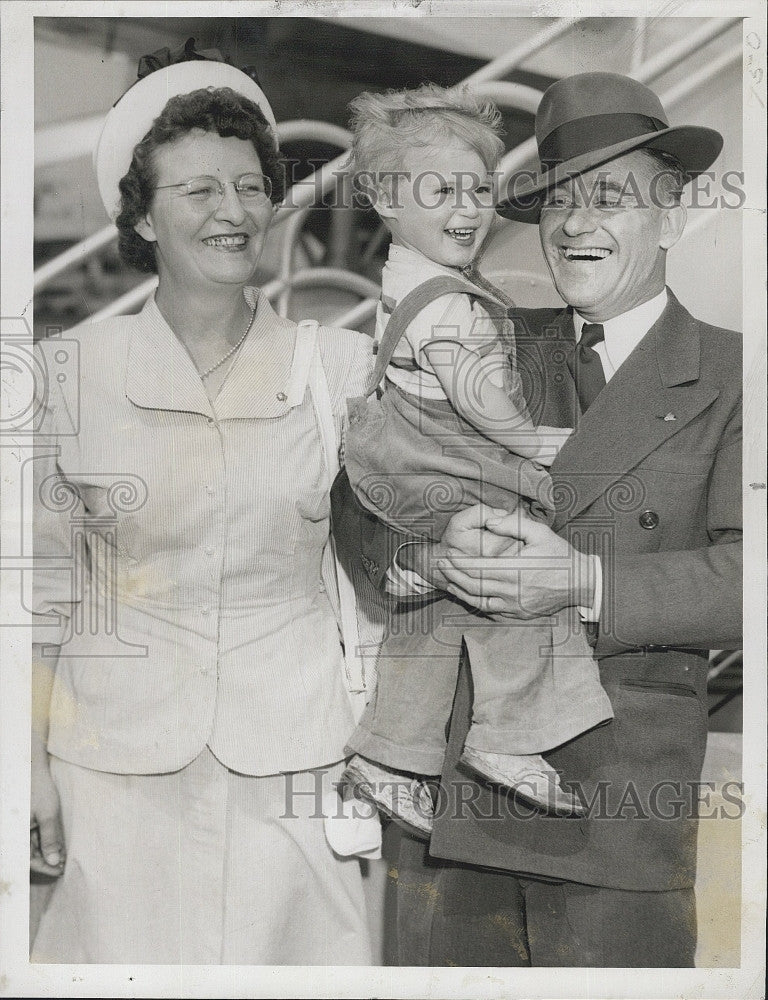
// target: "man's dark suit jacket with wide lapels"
[[651, 481]]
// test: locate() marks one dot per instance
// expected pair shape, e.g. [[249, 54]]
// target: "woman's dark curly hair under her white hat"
[[220, 110]]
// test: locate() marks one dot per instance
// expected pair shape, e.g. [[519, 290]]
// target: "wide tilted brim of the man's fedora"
[[695, 146]]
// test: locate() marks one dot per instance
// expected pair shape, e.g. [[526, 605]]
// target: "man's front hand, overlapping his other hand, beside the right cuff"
[[539, 577]]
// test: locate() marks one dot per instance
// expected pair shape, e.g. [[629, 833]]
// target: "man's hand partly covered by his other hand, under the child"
[[465, 535]]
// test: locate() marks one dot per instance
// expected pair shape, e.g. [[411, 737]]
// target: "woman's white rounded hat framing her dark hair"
[[131, 117]]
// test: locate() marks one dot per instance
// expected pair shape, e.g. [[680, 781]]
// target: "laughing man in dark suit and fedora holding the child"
[[646, 542]]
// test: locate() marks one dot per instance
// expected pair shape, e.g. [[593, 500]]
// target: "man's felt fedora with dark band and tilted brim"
[[589, 119]]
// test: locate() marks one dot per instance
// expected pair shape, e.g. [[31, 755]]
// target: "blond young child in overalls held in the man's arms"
[[450, 430]]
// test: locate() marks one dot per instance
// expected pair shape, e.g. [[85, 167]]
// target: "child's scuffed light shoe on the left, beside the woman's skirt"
[[401, 796]]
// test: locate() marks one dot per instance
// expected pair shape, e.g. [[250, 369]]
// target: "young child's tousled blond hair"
[[384, 125]]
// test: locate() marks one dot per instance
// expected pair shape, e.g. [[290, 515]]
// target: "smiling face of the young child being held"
[[442, 206]]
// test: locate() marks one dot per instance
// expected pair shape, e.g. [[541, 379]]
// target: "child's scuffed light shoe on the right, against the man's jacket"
[[529, 776]]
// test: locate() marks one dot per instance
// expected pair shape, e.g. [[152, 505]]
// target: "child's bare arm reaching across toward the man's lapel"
[[474, 385]]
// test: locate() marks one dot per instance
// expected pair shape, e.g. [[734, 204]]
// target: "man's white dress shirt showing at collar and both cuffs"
[[622, 334]]
